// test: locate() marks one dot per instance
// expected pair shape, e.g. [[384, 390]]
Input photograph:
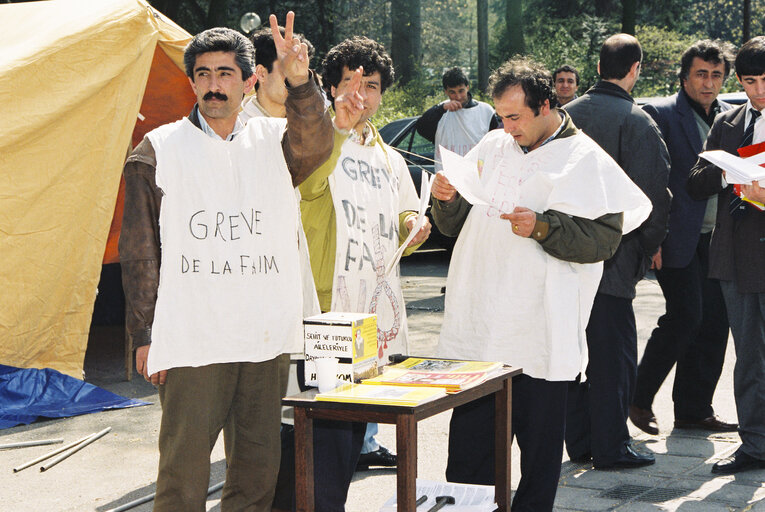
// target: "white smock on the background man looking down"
[[460, 130]]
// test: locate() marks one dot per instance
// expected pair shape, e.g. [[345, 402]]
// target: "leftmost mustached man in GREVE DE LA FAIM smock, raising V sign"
[[209, 251]]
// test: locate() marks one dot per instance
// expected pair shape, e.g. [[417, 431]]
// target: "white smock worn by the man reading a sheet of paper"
[[507, 300]]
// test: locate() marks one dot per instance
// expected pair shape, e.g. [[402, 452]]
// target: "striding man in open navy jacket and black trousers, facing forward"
[[694, 330]]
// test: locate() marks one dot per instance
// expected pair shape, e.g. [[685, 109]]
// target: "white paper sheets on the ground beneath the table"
[[467, 497]]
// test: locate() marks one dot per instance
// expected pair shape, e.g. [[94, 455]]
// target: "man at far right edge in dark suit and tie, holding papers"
[[737, 255]]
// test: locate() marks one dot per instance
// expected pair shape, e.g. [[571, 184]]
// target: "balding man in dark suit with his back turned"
[[596, 425]]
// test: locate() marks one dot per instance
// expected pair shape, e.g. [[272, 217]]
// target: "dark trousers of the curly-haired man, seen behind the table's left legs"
[[336, 450]]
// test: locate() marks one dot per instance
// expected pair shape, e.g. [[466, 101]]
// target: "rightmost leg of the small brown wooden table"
[[503, 438]]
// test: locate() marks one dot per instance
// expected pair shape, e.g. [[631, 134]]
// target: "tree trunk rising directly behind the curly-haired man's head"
[[406, 43]]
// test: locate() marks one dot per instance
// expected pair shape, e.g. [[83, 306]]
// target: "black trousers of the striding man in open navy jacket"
[[693, 332]]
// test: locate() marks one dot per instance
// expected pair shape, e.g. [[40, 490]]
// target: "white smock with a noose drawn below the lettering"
[[370, 187]]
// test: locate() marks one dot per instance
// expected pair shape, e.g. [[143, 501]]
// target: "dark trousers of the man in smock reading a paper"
[[539, 415]]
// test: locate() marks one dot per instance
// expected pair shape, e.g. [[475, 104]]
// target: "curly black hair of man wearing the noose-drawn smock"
[[352, 53]]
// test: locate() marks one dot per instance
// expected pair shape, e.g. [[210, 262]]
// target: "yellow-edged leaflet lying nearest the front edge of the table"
[[383, 395]]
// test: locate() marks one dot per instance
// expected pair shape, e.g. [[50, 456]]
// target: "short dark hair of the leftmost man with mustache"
[[221, 39]]
